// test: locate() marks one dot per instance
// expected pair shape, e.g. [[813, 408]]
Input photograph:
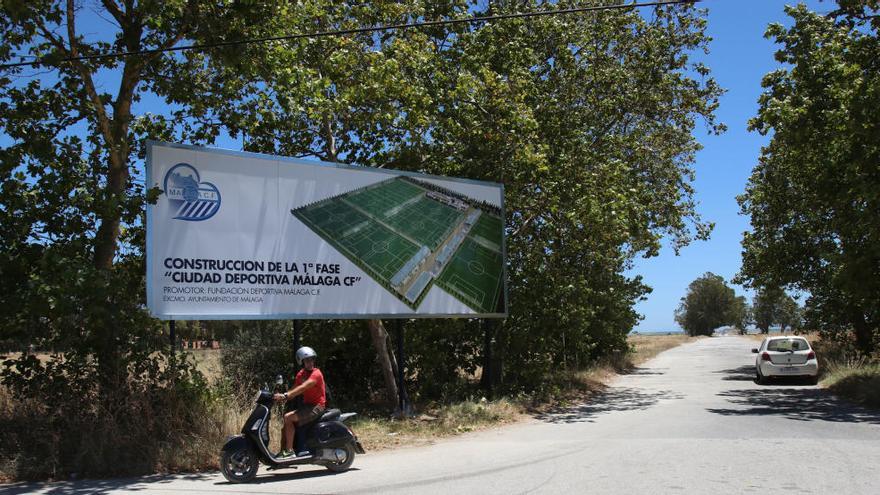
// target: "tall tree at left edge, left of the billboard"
[[71, 200]]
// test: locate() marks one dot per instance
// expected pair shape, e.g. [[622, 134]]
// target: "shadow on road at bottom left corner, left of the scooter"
[[83, 487]]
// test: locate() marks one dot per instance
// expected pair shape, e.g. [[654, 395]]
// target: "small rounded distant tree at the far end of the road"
[[709, 304]]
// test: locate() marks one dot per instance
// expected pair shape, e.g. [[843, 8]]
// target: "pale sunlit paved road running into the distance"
[[689, 421]]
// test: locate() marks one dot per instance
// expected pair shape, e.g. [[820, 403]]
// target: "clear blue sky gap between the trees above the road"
[[739, 58]]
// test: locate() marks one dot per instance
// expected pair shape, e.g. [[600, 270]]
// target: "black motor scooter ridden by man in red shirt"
[[326, 441]]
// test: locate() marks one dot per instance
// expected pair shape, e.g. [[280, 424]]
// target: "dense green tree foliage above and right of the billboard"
[[586, 120]]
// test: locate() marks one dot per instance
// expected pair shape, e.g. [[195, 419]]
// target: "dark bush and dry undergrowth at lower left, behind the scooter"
[[56, 420]]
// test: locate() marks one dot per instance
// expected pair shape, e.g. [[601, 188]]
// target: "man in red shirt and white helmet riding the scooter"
[[309, 383]]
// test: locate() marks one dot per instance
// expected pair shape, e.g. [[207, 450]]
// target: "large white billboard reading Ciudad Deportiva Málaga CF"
[[239, 235]]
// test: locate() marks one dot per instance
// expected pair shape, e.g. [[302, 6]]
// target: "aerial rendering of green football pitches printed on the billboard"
[[409, 234]]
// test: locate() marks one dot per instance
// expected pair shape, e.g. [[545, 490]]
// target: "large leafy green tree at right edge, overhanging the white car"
[[814, 196]]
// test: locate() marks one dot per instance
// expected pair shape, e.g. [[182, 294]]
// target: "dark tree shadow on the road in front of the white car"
[[801, 404]]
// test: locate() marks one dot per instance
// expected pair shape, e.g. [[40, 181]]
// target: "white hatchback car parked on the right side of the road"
[[786, 356]]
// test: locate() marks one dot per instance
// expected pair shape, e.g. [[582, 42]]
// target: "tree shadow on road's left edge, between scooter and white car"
[[610, 400]]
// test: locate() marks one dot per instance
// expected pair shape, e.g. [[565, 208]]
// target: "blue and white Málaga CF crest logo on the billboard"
[[191, 199]]
